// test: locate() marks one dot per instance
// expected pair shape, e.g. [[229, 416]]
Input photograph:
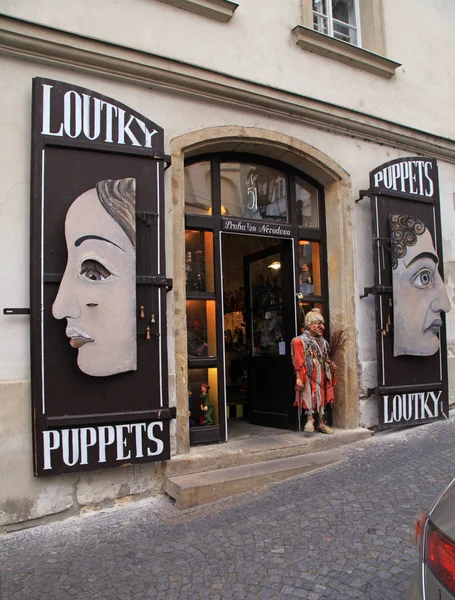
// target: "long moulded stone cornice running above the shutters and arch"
[[29, 41]]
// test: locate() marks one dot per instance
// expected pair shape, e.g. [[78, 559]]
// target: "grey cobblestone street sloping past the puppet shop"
[[341, 532]]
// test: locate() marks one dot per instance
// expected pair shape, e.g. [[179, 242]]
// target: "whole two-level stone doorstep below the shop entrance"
[[216, 471]]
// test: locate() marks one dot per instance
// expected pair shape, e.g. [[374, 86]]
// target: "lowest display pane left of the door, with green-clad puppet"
[[203, 397]]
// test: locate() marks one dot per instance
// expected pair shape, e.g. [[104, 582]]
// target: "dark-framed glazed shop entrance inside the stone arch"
[[255, 261]]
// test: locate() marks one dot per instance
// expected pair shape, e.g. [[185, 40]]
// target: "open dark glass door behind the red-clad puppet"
[[270, 325]]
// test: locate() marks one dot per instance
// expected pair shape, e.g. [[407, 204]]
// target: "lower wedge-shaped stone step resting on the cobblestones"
[[200, 488]]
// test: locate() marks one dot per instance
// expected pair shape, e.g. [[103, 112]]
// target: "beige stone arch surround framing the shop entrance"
[[313, 167]]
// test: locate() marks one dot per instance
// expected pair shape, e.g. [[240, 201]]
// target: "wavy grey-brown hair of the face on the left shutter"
[[118, 198]]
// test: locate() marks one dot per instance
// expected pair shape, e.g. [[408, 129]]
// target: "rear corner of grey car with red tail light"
[[433, 532]]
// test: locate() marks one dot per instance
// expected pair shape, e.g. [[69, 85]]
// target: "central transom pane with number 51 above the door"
[[253, 192]]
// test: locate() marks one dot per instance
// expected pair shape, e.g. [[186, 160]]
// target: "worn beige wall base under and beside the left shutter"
[[26, 498]]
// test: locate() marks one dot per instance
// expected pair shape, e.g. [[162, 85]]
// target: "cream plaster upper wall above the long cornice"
[[257, 44]]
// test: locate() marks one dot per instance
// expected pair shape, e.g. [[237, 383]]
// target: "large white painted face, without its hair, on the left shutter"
[[97, 294]]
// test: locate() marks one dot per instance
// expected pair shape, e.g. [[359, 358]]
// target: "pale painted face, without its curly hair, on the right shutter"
[[419, 299]]
